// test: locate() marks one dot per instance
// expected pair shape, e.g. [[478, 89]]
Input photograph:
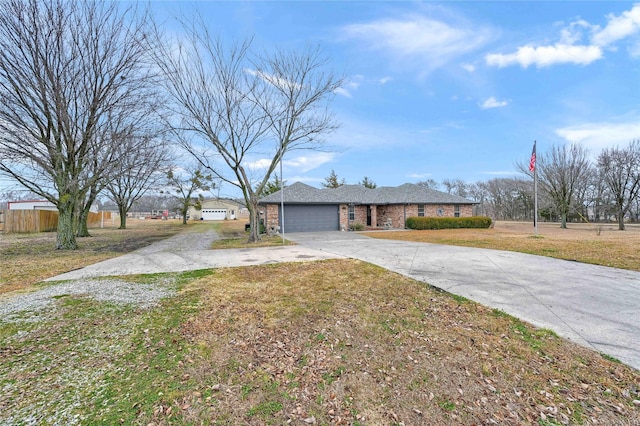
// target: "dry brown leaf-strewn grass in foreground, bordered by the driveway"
[[344, 342]]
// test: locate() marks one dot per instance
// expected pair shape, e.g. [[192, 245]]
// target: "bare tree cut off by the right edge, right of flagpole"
[[620, 171]]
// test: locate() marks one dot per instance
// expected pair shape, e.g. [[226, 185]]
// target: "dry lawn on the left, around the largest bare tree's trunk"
[[31, 258]]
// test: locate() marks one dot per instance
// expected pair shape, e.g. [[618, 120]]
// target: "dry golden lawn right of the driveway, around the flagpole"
[[599, 244]]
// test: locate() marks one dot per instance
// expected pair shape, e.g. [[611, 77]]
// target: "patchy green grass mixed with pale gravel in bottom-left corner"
[[101, 363]]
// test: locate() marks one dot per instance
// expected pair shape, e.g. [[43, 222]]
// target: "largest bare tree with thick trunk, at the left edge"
[[66, 69]]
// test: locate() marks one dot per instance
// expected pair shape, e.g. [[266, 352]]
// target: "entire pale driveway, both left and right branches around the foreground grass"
[[594, 306]]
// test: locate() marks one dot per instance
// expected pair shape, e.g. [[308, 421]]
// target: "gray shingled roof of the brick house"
[[299, 193]]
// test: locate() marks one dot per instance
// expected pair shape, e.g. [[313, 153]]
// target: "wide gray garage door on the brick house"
[[310, 218]]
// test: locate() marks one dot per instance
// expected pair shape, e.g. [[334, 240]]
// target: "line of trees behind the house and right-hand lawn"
[[572, 187]]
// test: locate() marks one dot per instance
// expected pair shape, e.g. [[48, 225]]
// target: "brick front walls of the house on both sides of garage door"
[[396, 213]]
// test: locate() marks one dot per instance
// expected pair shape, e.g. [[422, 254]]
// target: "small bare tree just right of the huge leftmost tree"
[[143, 164]]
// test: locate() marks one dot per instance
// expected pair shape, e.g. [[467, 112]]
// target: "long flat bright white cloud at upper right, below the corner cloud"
[[544, 56]]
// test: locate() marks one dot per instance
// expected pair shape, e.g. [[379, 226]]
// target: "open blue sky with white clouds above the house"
[[455, 90]]
